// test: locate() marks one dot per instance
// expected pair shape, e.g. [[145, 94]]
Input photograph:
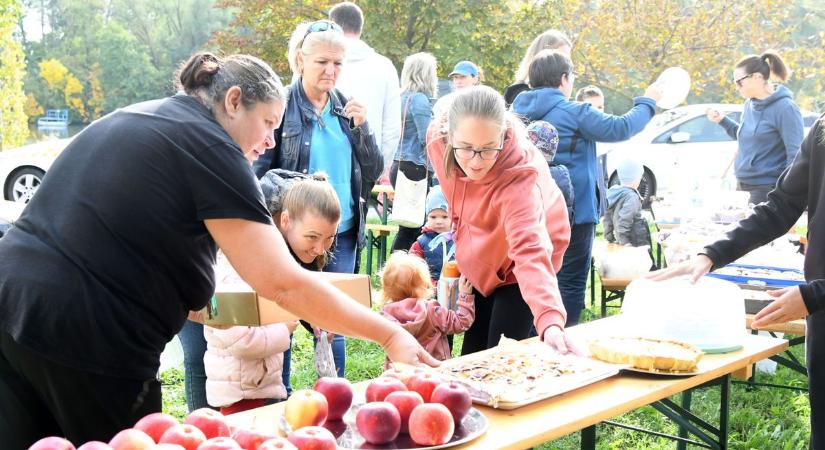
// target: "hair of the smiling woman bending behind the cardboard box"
[[313, 195]]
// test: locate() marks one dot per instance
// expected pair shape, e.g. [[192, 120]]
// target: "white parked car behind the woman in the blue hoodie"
[[682, 150]]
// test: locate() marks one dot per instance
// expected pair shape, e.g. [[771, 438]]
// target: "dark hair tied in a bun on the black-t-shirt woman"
[[208, 77]]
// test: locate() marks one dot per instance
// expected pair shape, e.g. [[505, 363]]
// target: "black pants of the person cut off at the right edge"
[[815, 345]]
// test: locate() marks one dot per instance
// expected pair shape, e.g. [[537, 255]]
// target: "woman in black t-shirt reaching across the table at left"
[[119, 244]]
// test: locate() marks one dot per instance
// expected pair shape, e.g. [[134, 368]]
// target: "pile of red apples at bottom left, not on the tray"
[[204, 429]]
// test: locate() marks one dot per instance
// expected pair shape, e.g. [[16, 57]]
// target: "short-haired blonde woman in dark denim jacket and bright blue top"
[[324, 131]]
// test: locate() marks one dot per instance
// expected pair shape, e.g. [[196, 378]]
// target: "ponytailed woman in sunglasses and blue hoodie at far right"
[[771, 129]]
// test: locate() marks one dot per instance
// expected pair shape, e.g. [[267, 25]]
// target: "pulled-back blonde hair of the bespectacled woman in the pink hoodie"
[[481, 102]]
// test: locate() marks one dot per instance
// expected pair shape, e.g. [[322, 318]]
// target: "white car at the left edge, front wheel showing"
[[22, 169]]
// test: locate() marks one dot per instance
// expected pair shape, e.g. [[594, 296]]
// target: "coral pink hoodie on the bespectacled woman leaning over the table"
[[511, 226]]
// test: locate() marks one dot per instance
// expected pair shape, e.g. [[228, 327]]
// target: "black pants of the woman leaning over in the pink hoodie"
[[503, 312]]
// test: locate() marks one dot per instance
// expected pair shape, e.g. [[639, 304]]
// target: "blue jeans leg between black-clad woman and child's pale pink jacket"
[[194, 374]]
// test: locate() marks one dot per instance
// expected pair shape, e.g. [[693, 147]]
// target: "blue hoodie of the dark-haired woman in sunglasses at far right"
[[769, 137]]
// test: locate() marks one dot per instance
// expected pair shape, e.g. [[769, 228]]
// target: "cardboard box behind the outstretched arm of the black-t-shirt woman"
[[236, 303]]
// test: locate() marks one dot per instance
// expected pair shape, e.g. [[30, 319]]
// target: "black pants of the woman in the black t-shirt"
[[40, 398]]
